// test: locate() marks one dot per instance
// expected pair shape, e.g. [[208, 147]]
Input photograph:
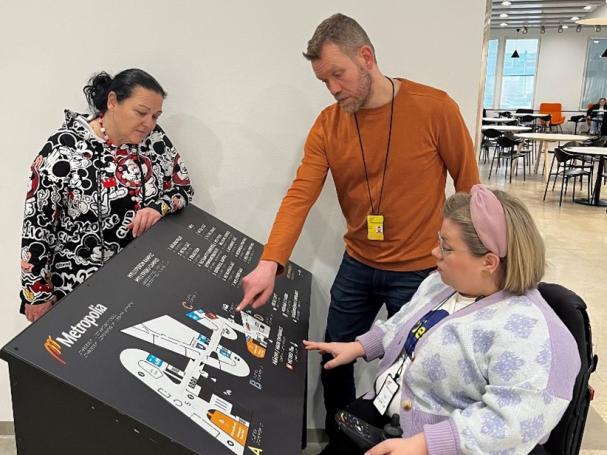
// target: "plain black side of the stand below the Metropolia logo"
[[52, 417]]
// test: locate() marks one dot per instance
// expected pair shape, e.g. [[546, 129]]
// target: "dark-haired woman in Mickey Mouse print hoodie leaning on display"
[[100, 181]]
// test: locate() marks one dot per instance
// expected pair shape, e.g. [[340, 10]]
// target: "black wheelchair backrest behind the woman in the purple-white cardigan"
[[566, 437]]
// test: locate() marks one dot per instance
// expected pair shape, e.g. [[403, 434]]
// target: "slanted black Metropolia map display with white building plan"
[[154, 336]]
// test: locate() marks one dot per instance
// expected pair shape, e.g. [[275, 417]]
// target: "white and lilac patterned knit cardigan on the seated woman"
[[492, 378]]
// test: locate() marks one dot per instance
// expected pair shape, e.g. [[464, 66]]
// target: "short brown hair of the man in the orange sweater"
[[340, 30]]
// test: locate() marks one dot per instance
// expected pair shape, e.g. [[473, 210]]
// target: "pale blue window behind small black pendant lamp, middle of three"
[[518, 79]]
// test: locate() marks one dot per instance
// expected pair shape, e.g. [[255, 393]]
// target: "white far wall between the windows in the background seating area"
[[561, 63]]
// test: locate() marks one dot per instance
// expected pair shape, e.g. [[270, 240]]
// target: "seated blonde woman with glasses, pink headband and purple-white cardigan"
[[476, 362]]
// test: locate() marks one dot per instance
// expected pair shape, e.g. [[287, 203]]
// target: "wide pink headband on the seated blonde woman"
[[489, 219]]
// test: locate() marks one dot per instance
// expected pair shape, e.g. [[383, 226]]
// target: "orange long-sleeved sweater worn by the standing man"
[[429, 137]]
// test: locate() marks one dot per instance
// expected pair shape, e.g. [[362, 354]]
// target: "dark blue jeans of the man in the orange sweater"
[[357, 295]]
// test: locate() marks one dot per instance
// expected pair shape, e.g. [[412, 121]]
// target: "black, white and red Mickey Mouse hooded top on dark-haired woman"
[[82, 195]]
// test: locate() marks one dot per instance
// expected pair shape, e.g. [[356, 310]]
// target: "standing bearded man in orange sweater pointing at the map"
[[388, 144]]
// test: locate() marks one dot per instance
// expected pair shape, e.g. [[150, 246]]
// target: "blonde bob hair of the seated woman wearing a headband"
[[524, 264]]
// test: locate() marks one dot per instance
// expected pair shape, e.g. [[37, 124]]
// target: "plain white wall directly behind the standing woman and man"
[[241, 101]]
